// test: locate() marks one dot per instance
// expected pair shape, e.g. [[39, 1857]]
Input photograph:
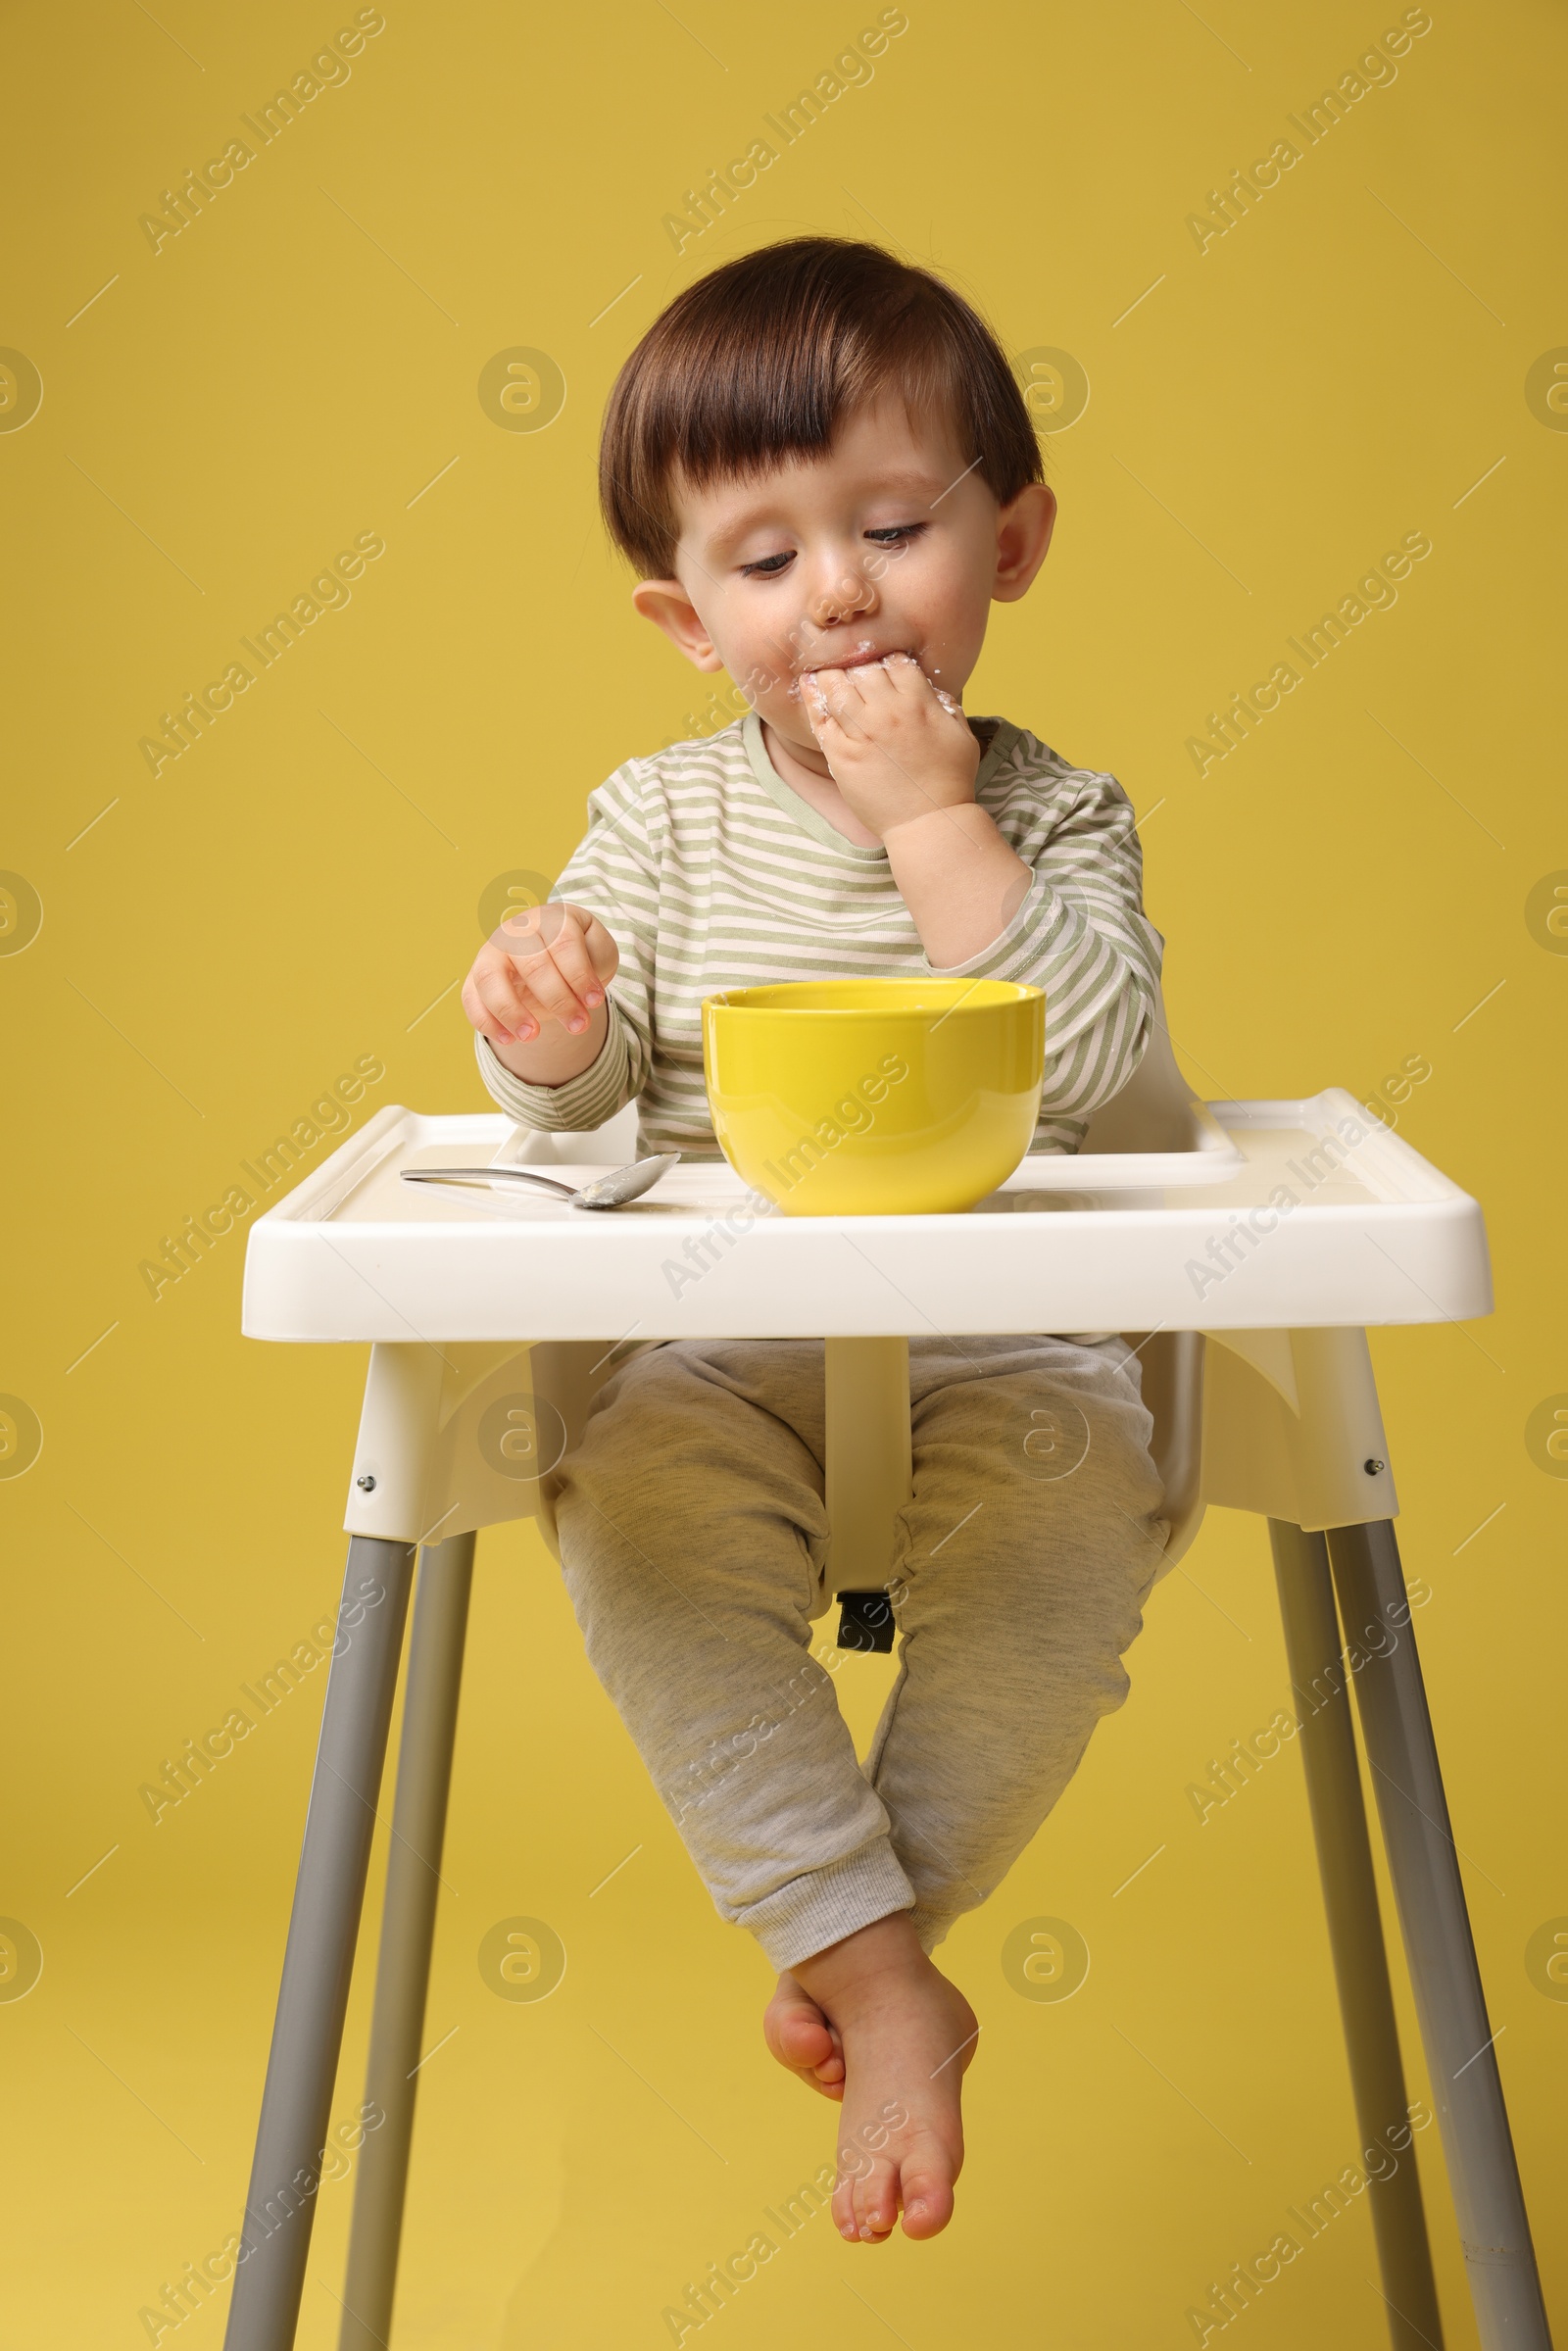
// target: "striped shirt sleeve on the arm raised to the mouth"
[[1080, 935]]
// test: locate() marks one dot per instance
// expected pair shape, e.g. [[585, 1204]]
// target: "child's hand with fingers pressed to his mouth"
[[894, 746]]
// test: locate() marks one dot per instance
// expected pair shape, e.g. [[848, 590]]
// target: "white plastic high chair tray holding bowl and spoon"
[[1296, 1228]]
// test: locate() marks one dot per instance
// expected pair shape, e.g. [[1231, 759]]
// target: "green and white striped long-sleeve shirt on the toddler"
[[711, 873]]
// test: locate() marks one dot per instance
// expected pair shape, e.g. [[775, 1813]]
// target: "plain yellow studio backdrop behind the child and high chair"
[[1339, 895]]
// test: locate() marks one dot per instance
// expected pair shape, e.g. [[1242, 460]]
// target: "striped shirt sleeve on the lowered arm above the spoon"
[[615, 873]]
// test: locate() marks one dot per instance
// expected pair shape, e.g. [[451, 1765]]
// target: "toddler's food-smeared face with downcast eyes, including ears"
[[890, 544]]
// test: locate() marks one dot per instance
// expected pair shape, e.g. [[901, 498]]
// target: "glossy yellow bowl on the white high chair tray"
[[876, 1097]]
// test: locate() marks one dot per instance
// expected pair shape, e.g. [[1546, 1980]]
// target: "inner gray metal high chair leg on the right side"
[[1355, 1929]]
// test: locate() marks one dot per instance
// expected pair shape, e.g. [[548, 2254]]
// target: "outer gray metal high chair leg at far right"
[[1440, 1948]]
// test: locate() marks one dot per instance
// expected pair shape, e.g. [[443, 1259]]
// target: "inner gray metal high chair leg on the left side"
[[408, 1931]]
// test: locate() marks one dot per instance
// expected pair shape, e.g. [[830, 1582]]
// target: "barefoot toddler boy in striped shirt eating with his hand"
[[824, 471]]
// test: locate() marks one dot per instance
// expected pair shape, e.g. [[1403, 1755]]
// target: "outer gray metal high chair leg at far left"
[[321, 1950]]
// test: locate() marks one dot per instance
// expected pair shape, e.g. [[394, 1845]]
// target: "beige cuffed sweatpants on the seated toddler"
[[692, 1541]]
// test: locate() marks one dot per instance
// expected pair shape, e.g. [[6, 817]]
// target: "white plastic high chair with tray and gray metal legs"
[[492, 1329]]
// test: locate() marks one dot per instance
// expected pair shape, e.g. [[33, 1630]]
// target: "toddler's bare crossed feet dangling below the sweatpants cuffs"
[[906, 2037]]
